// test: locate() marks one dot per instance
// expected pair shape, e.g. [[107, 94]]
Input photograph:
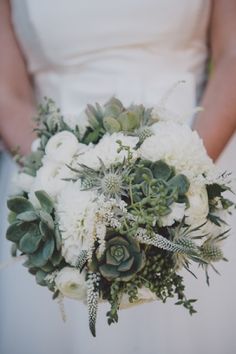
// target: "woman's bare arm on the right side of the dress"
[[217, 123]]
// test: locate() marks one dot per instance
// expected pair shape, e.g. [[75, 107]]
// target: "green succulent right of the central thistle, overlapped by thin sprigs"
[[154, 188]]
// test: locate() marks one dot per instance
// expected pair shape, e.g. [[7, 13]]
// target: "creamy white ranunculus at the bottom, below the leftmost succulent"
[[71, 283]]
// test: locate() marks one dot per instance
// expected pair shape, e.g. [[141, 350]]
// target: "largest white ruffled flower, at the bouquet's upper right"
[[178, 146]]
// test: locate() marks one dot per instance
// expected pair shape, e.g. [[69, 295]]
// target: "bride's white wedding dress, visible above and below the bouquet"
[[79, 52]]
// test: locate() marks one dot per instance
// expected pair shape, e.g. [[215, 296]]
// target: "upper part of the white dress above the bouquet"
[[85, 51]]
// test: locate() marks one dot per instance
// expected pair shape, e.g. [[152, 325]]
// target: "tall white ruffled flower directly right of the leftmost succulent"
[[76, 217]]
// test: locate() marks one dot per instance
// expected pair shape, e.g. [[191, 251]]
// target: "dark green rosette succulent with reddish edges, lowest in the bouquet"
[[122, 259]]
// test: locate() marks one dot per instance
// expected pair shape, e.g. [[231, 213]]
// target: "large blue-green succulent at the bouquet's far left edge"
[[34, 233]]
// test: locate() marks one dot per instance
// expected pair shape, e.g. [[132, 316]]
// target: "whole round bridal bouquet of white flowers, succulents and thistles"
[[112, 204]]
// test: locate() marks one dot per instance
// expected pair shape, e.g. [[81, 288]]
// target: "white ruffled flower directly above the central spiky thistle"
[[106, 150]]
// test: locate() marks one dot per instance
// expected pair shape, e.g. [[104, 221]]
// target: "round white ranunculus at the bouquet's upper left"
[[61, 147]]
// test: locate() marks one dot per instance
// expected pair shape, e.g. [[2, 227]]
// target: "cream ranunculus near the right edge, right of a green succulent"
[[199, 205]]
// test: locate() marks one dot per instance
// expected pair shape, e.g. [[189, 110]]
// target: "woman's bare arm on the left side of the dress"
[[16, 96]]
